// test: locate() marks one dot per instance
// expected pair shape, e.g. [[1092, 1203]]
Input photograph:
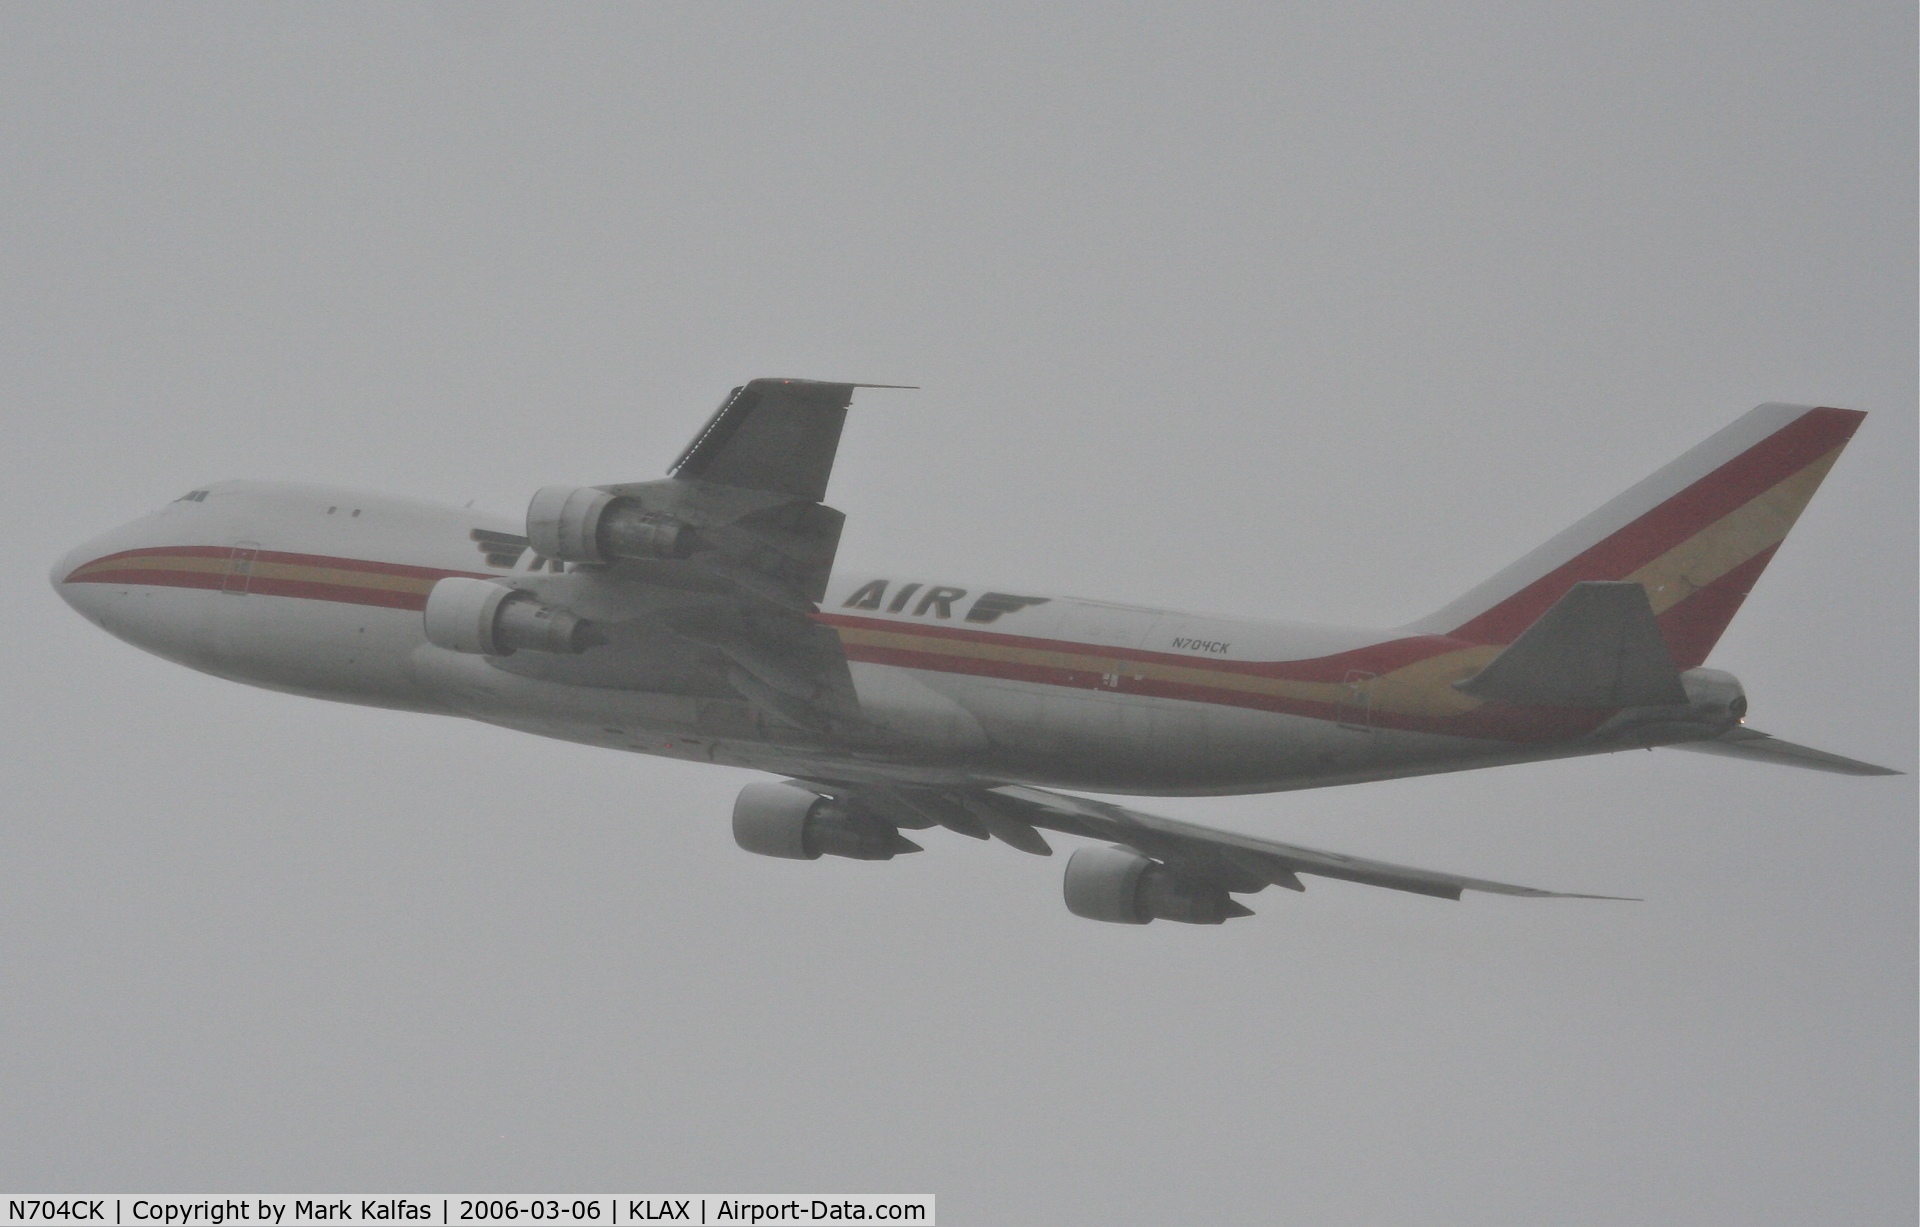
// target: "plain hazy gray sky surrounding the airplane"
[[1228, 308]]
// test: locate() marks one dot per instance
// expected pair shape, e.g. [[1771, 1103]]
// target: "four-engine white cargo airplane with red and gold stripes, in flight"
[[700, 617]]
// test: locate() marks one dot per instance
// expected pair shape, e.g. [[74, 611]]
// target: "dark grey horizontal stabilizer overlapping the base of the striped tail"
[[1598, 646]]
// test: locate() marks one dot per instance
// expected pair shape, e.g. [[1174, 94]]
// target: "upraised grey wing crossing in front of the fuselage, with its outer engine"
[[704, 583]]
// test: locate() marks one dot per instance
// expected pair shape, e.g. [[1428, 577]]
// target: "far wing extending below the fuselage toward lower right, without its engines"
[[1197, 854]]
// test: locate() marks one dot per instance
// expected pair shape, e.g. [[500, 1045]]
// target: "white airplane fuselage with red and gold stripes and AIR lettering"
[[320, 592]]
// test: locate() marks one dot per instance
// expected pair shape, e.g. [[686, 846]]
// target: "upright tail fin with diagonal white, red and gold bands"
[[1696, 535]]
